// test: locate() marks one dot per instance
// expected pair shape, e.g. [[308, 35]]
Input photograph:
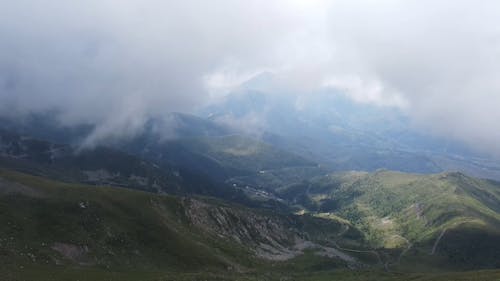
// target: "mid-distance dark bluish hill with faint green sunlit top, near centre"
[[219, 157]]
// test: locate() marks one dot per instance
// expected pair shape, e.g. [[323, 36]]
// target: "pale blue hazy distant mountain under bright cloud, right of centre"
[[329, 128]]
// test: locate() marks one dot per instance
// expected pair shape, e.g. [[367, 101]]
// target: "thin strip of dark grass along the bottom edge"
[[51, 273]]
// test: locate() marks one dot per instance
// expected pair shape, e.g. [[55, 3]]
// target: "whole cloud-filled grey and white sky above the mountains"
[[115, 62]]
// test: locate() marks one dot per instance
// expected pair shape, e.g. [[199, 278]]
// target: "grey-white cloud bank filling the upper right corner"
[[438, 56]]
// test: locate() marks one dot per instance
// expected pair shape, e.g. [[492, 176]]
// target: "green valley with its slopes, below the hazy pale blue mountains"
[[106, 212]]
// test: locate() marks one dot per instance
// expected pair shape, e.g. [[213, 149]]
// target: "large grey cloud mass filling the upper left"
[[86, 57]]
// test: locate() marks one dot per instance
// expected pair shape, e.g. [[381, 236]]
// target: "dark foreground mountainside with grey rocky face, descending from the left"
[[60, 231]]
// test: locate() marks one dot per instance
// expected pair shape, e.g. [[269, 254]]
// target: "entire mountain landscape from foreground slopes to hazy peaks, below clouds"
[[258, 186]]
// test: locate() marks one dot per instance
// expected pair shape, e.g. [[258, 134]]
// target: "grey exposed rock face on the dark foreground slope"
[[270, 237]]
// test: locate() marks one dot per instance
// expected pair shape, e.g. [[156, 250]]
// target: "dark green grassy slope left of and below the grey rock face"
[[120, 228]]
